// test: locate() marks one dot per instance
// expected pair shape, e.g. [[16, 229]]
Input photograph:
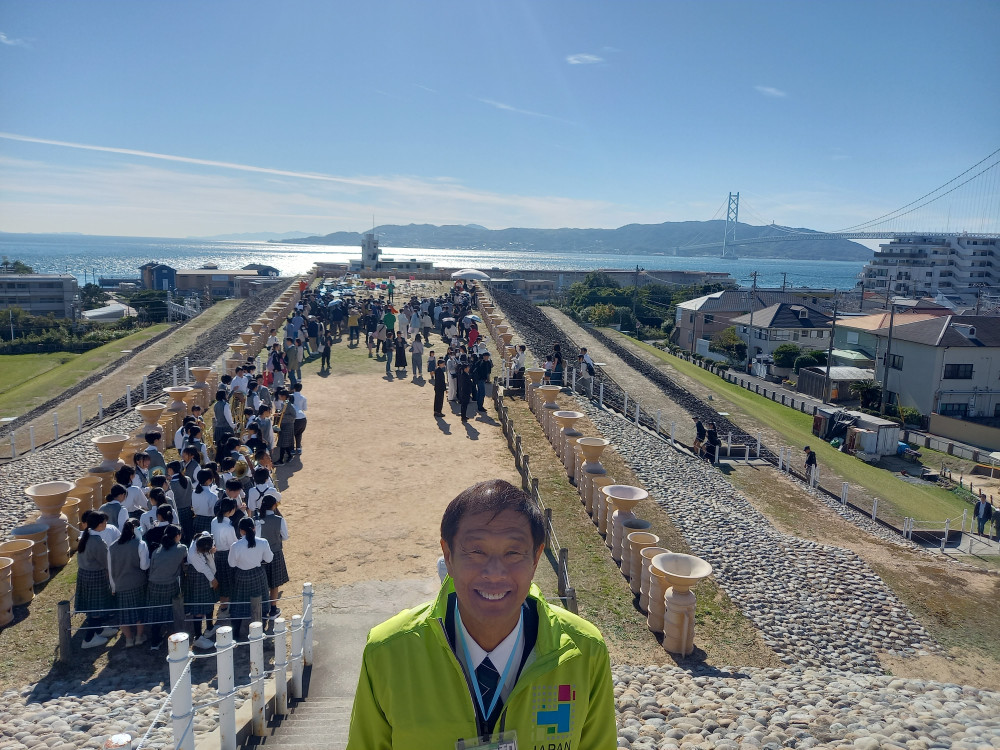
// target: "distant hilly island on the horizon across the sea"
[[669, 238]]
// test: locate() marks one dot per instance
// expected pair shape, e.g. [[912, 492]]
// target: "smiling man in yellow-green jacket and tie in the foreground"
[[489, 663]]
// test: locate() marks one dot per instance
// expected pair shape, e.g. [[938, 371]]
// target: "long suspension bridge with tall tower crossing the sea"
[[970, 200]]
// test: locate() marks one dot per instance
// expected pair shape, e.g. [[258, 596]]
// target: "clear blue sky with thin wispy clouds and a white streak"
[[315, 116]]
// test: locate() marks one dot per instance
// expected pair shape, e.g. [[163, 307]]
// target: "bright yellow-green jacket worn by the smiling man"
[[413, 693]]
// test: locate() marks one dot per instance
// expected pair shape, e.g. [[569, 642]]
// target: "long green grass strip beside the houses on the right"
[[923, 503]]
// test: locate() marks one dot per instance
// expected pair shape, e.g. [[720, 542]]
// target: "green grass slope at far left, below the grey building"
[[27, 380]]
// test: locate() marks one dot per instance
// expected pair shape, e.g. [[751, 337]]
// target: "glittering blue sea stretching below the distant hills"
[[89, 257]]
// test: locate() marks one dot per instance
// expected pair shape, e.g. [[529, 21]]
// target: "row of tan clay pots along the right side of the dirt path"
[[661, 579]]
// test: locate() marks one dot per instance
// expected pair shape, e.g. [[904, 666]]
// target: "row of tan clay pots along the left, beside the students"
[[46, 542]]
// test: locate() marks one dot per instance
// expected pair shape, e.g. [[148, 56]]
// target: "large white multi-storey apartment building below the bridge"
[[925, 265]]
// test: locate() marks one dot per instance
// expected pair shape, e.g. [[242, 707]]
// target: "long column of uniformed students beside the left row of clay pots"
[[198, 517]]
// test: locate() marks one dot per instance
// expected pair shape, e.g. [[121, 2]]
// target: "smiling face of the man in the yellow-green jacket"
[[492, 564]]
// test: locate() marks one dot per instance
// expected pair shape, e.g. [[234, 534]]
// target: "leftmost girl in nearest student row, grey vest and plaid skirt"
[[93, 588]]
